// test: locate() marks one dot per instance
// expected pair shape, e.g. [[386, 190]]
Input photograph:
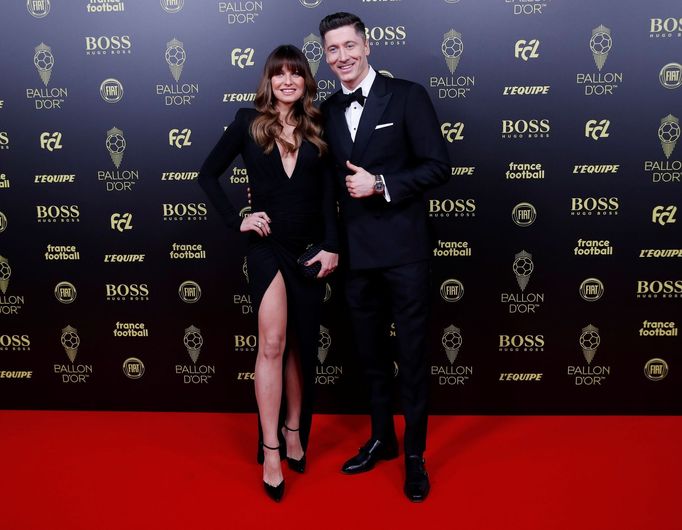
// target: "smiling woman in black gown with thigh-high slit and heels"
[[293, 206]]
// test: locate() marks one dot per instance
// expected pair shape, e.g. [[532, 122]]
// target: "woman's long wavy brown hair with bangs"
[[266, 129]]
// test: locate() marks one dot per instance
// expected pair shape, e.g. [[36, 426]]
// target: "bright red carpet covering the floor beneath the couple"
[[122, 471]]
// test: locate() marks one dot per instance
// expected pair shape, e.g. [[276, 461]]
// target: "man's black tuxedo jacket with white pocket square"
[[398, 137]]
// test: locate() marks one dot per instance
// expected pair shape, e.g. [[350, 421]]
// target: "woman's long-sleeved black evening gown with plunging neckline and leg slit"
[[302, 209]]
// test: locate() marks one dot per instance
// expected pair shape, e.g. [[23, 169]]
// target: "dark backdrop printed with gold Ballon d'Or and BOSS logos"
[[557, 283]]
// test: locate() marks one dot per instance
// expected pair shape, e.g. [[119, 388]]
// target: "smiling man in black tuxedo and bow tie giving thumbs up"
[[387, 150]]
